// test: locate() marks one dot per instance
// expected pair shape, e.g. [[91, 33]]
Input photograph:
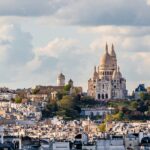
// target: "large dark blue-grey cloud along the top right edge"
[[106, 12]]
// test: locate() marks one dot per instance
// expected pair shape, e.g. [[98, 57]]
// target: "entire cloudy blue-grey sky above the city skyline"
[[39, 39]]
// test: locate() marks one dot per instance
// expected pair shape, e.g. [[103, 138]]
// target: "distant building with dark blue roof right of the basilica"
[[139, 90]]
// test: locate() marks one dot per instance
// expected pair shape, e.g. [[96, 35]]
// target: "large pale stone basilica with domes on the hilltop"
[[107, 81]]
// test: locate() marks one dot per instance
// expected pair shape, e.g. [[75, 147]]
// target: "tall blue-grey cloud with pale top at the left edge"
[[16, 45]]
